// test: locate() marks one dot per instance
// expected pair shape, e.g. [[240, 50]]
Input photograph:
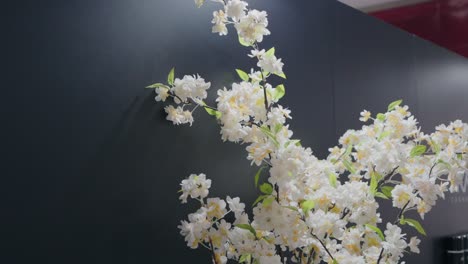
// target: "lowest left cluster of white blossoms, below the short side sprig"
[[207, 226]]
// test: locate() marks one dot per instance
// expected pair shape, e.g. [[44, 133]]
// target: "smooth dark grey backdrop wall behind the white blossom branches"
[[90, 166]]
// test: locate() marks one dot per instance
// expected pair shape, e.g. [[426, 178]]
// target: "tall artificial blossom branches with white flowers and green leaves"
[[310, 210]]
